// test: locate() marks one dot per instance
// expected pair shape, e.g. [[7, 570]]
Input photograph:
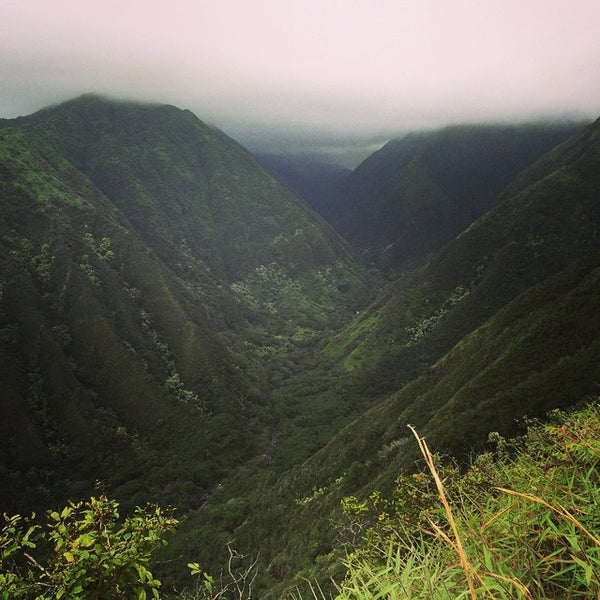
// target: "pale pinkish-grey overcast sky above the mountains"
[[304, 69]]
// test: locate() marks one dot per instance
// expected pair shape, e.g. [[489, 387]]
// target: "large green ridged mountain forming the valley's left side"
[[152, 276]]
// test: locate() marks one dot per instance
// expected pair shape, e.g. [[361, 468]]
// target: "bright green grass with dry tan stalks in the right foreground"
[[522, 522]]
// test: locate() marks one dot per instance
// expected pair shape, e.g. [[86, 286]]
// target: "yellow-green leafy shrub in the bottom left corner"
[[82, 552]]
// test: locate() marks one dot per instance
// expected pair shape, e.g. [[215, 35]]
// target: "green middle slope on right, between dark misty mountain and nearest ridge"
[[535, 232]]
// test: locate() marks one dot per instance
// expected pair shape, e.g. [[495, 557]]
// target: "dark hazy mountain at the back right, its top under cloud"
[[415, 194]]
